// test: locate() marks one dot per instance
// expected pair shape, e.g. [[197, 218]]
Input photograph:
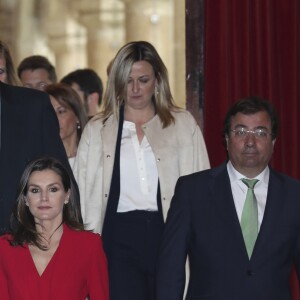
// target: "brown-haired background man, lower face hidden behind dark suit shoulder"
[[36, 72]]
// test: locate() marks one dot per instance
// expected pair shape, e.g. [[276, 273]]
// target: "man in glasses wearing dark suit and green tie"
[[241, 242]]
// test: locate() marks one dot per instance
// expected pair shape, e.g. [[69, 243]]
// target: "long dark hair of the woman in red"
[[23, 227]]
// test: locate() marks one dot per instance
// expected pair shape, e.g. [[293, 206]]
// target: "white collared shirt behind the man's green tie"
[[239, 190]]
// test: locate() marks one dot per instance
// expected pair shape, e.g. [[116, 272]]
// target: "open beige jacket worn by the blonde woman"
[[179, 149]]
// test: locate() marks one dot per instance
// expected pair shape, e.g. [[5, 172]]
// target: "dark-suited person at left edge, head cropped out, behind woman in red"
[[28, 129]]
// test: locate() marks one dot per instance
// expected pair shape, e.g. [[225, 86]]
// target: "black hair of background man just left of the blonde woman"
[[88, 81]]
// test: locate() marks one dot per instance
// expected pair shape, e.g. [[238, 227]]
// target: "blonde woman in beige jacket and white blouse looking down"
[[128, 162]]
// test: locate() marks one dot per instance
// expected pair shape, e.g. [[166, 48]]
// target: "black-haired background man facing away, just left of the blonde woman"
[[89, 87]]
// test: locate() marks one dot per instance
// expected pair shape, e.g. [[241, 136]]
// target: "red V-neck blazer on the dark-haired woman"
[[77, 269]]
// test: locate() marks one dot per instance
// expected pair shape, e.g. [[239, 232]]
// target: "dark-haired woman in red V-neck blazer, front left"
[[48, 254]]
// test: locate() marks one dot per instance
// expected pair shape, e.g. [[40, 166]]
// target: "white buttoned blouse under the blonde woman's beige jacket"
[[138, 172]]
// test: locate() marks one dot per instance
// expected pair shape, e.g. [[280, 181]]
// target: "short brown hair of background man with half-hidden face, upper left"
[[37, 62]]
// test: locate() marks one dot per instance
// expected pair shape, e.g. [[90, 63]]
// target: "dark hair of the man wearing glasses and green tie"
[[249, 106]]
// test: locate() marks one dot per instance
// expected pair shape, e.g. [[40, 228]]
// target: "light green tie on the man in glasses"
[[249, 220]]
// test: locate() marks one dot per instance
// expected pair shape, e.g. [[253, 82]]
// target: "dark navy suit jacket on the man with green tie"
[[202, 223]]
